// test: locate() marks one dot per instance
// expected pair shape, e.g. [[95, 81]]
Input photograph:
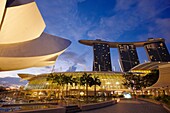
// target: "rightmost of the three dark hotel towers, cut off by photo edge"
[[157, 50]]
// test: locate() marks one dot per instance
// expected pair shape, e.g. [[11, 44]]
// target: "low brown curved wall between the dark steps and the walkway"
[[97, 105]]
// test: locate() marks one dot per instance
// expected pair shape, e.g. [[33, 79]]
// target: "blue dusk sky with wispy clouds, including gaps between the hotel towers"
[[109, 20]]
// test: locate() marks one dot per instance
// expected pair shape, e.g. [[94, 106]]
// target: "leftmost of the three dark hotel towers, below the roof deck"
[[102, 60]]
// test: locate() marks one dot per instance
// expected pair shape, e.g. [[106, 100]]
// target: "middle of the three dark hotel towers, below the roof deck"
[[128, 56]]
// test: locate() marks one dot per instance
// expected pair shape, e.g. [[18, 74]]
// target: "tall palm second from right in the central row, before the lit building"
[[85, 79]]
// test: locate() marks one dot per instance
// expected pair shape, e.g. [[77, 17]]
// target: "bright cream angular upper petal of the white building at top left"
[[21, 23]]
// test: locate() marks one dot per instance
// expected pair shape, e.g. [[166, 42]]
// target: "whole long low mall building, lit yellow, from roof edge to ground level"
[[111, 83]]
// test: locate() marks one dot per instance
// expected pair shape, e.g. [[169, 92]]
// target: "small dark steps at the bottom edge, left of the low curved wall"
[[72, 109]]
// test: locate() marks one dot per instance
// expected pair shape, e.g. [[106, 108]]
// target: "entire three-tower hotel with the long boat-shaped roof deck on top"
[[156, 51]]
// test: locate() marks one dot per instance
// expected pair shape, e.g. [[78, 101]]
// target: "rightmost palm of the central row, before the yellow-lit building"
[[95, 81]]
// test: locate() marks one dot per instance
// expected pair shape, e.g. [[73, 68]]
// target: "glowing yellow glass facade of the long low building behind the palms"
[[109, 81]]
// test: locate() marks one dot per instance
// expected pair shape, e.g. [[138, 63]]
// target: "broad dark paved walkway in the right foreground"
[[131, 106]]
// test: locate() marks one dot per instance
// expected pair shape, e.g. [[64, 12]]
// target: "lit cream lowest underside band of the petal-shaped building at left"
[[15, 63]]
